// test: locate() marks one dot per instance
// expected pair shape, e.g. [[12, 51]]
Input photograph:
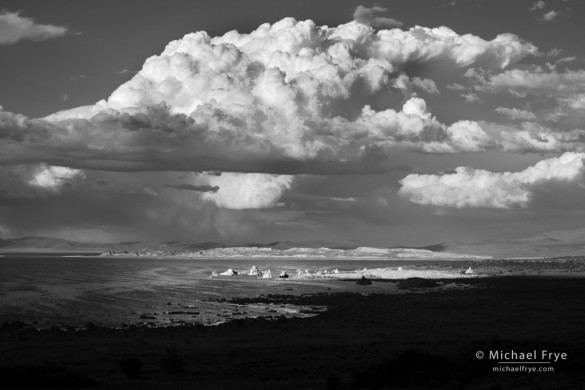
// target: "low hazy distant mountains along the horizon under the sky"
[[549, 244]]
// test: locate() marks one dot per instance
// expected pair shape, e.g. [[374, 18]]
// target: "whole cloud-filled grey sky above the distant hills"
[[403, 122]]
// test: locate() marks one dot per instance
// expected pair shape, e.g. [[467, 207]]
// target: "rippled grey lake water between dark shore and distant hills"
[[56, 289]]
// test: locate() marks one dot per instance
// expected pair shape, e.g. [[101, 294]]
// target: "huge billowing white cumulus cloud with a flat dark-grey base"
[[287, 98]]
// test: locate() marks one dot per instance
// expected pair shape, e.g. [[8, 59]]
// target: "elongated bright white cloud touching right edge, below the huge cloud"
[[478, 188]]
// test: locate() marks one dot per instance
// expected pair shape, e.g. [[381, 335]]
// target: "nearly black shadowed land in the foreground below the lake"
[[415, 340]]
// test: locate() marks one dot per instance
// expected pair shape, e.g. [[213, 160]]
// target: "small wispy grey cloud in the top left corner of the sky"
[[15, 28]]
